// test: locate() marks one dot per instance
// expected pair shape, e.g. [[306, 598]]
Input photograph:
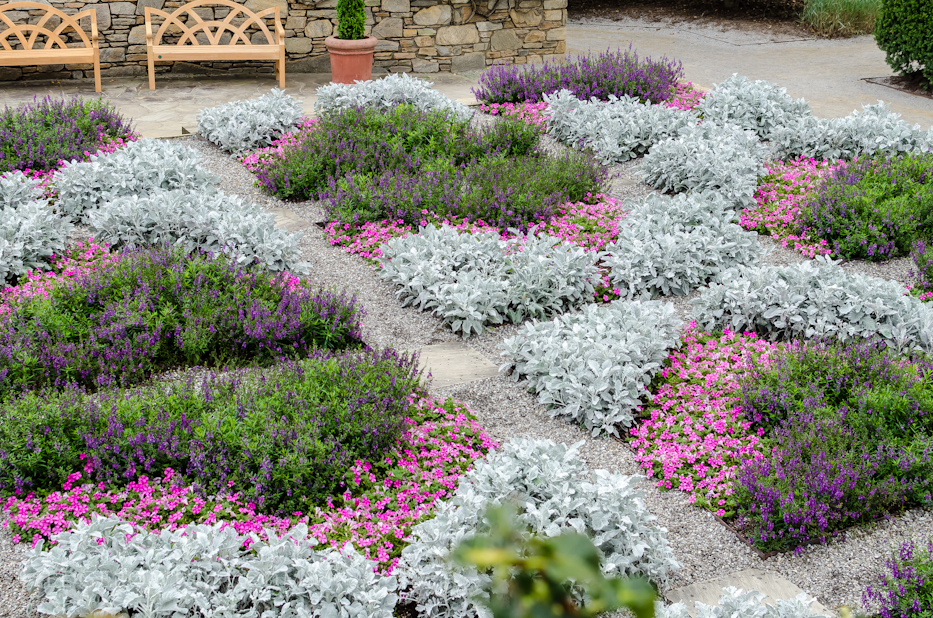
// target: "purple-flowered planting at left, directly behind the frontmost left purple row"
[[160, 308]]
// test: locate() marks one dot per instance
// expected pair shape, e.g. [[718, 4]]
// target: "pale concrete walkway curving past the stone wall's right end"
[[830, 74]]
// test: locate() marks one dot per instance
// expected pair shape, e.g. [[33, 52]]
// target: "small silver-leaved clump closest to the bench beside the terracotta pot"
[[246, 125]]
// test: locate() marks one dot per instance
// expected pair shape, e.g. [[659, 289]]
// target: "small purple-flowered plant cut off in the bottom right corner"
[[907, 591]]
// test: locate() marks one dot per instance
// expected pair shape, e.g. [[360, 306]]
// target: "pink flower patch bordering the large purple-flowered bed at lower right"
[[694, 437]]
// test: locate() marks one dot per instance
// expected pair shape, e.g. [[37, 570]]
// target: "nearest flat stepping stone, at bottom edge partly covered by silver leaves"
[[765, 582]]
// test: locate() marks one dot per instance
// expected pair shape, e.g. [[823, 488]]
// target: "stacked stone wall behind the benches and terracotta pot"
[[419, 36]]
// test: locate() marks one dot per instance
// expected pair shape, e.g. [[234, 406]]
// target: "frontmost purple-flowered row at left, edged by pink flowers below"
[[284, 438]]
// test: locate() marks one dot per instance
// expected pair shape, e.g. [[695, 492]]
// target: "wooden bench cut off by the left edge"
[[55, 49]]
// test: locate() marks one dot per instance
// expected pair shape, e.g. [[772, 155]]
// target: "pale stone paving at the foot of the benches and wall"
[[174, 105]]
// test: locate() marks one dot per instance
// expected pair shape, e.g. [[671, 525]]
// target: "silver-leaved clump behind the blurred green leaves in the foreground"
[[554, 493]]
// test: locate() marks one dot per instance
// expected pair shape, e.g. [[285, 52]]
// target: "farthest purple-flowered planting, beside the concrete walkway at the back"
[[619, 73]]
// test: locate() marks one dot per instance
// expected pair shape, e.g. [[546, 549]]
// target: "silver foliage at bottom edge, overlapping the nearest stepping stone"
[[736, 603]]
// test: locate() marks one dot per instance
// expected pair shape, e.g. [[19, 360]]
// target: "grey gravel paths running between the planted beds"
[[836, 572]]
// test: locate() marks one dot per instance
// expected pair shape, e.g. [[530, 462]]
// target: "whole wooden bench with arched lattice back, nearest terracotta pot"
[[201, 39]]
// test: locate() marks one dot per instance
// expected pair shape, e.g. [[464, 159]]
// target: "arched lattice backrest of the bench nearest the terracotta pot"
[[213, 30]]
